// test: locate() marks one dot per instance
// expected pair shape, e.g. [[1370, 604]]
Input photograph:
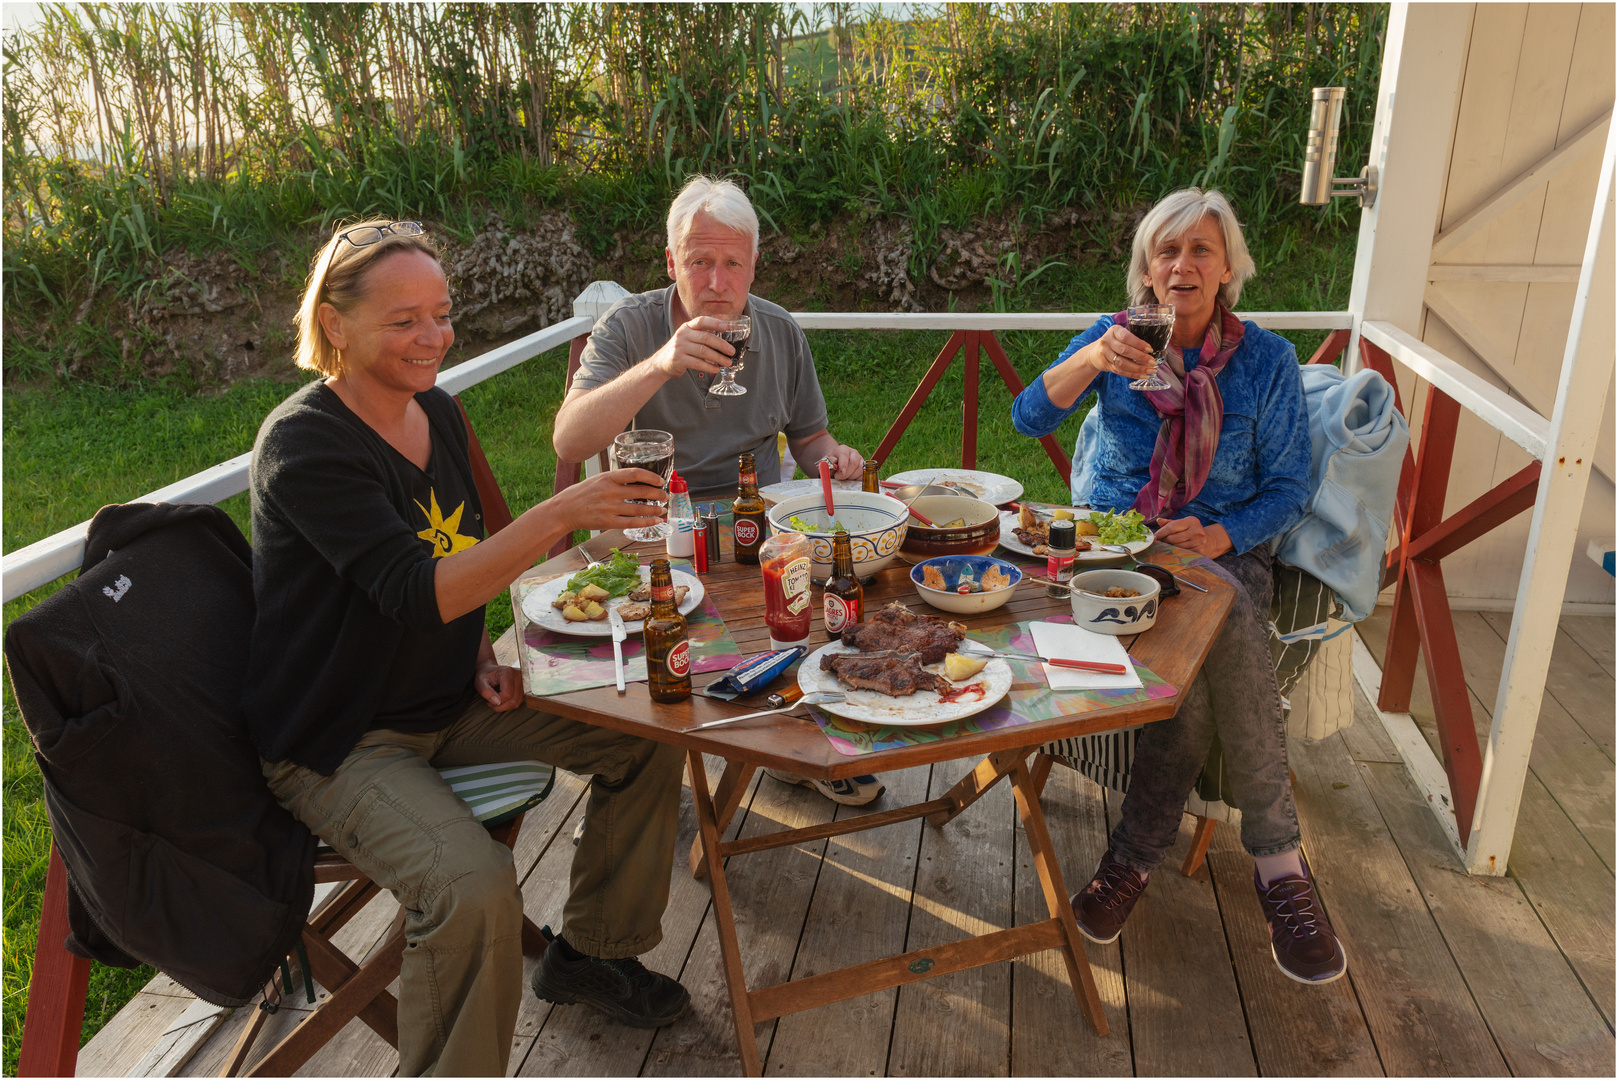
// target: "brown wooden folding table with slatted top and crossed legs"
[[1174, 650]]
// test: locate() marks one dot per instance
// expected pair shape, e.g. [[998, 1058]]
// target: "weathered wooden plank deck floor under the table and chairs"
[[1449, 974]]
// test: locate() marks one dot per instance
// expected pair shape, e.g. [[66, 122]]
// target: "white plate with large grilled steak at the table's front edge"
[[896, 687]]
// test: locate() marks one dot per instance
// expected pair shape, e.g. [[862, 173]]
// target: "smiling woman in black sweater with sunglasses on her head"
[[371, 670]]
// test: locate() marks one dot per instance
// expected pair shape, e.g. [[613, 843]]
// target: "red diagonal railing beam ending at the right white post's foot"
[[1452, 702]]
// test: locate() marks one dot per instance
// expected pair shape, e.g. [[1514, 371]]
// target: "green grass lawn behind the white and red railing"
[[72, 449]]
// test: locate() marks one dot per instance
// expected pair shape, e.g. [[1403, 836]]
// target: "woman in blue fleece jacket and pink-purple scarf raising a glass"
[[1219, 464]]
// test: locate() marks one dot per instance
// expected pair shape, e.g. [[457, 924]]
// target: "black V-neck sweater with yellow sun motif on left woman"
[[342, 579]]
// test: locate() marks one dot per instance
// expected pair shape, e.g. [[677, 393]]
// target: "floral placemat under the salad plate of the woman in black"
[[559, 663]]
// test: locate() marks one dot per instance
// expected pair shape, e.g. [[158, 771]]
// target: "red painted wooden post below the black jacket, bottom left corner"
[[56, 993]]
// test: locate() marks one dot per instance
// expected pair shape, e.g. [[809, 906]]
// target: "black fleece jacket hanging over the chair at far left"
[[130, 682]]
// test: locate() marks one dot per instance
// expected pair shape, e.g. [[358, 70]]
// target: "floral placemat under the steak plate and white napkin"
[[1030, 700]]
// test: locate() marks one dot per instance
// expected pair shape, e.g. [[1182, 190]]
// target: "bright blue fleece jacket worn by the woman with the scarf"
[[1260, 483]]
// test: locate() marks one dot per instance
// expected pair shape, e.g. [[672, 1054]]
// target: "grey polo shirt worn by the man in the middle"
[[784, 393]]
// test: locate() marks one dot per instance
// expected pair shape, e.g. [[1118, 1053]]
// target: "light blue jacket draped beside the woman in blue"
[[1357, 441]]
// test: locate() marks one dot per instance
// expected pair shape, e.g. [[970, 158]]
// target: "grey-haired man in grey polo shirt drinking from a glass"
[[653, 359]]
